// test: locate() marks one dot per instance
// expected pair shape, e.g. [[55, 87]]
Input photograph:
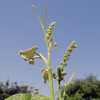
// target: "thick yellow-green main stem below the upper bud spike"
[[50, 76]]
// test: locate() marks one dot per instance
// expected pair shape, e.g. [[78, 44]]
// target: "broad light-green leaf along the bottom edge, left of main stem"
[[23, 96]]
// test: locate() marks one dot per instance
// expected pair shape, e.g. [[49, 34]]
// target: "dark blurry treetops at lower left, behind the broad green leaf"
[[8, 89]]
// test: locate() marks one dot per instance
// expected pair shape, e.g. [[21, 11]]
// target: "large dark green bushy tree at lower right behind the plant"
[[83, 89]]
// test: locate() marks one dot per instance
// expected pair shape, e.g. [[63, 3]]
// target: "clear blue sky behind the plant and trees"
[[20, 29]]
